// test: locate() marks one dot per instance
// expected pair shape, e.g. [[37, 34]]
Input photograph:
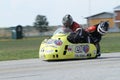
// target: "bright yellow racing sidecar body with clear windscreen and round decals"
[[59, 48]]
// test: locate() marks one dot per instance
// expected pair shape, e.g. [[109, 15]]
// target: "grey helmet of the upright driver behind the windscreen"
[[67, 21]]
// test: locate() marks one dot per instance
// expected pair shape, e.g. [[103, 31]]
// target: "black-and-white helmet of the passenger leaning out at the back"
[[103, 28]]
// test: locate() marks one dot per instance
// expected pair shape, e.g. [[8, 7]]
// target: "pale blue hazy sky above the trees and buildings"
[[24, 12]]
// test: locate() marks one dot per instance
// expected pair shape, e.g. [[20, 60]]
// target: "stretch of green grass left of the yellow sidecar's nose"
[[19, 49]]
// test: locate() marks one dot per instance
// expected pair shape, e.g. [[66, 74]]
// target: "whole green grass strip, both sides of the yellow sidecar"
[[29, 47]]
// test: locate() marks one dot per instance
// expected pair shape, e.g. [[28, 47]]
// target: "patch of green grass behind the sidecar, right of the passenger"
[[110, 43]]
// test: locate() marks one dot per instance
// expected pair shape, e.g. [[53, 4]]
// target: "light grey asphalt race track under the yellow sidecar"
[[107, 67]]
